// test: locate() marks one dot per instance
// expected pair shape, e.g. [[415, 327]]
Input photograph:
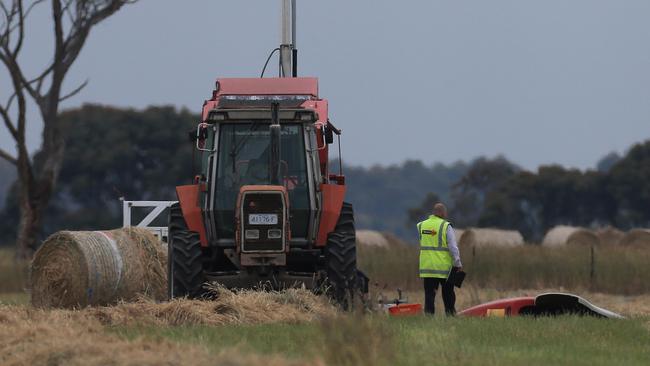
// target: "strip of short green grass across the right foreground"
[[378, 340]]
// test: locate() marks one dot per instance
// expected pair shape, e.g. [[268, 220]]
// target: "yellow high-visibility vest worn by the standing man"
[[435, 260]]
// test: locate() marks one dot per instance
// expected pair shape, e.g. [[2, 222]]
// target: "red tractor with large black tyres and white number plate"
[[265, 210]]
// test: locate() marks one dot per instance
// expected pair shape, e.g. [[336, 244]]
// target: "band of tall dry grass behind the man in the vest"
[[614, 270]]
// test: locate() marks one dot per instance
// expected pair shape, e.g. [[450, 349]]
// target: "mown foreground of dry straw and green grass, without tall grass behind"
[[297, 328]]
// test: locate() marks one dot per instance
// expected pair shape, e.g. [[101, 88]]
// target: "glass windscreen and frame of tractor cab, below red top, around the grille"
[[246, 153]]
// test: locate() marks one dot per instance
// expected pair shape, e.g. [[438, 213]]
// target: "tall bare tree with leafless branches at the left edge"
[[72, 21]]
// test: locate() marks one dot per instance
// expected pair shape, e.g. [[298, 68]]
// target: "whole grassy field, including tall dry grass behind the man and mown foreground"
[[297, 328]]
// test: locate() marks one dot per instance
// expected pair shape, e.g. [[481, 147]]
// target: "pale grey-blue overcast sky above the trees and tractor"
[[553, 81]]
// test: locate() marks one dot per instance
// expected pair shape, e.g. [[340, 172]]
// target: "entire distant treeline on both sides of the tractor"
[[142, 155]]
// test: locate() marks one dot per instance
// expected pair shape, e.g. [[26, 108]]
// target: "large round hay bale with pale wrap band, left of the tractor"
[[81, 268]]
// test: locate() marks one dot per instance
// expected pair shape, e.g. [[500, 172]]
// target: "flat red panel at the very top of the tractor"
[[268, 86]]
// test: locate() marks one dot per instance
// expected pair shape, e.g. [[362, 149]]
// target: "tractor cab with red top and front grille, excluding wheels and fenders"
[[267, 141]]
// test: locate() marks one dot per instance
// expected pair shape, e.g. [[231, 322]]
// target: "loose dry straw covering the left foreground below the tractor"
[[31, 336]]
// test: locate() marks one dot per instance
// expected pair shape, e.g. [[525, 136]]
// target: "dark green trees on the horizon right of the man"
[[617, 194]]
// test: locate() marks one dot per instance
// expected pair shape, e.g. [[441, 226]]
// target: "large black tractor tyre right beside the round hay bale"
[[184, 262]]
